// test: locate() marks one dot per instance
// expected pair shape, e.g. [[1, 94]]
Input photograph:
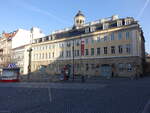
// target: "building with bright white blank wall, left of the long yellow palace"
[[22, 39]]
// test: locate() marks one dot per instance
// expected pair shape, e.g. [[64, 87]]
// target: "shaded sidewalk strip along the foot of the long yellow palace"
[[77, 79]]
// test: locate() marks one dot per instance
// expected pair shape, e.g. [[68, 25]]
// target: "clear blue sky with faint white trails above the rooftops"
[[51, 15]]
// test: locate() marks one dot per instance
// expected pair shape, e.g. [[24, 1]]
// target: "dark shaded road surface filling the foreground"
[[105, 96]]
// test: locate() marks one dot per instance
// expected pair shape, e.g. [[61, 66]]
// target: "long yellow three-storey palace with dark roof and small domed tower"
[[108, 47]]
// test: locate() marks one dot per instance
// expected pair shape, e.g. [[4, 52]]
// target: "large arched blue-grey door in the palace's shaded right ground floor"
[[106, 70]]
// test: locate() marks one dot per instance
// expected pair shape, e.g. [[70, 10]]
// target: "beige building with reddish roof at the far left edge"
[[5, 48]]
